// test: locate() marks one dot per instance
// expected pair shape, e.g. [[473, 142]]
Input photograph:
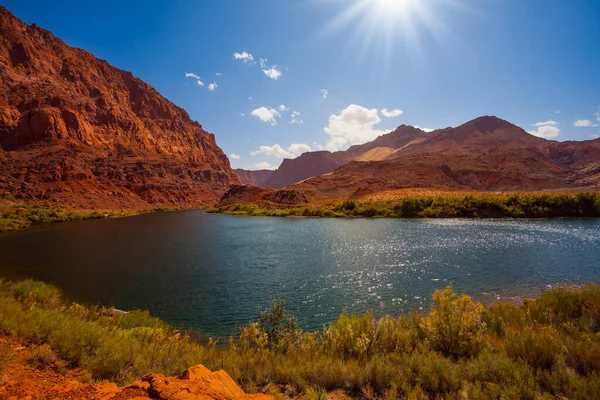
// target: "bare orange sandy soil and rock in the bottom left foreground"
[[34, 372]]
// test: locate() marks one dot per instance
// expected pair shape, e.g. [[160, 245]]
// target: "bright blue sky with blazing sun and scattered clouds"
[[429, 63]]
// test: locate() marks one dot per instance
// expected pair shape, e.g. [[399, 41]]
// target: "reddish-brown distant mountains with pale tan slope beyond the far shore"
[[485, 154]]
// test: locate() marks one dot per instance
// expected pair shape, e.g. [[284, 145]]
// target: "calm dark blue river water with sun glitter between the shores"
[[210, 272]]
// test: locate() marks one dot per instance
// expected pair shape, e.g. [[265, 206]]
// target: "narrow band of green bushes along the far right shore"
[[480, 205]]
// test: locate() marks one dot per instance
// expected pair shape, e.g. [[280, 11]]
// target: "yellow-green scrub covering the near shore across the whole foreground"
[[547, 347]]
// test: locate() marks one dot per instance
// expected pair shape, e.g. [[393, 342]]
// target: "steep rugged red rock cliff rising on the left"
[[77, 131]]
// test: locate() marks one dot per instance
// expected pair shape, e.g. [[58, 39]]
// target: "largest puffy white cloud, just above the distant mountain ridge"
[[354, 125]]
